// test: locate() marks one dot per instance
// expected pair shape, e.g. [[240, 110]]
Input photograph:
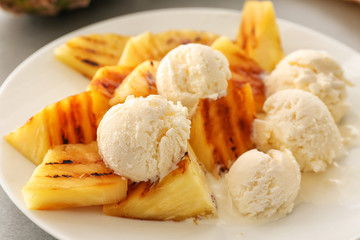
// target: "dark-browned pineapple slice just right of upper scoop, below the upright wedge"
[[244, 69]]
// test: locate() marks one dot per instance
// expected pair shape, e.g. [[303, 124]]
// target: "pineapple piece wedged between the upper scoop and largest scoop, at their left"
[[140, 83]]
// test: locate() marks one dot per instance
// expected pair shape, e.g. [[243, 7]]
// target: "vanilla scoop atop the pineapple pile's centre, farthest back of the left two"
[[190, 72]]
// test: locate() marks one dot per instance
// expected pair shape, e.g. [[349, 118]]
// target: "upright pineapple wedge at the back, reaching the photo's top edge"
[[259, 35]]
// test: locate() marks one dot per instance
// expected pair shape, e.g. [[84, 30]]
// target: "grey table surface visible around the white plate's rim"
[[22, 36]]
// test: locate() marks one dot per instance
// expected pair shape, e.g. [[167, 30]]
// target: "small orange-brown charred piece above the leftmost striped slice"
[[107, 79]]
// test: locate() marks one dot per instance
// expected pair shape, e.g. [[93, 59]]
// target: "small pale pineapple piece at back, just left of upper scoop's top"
[[139, 49]]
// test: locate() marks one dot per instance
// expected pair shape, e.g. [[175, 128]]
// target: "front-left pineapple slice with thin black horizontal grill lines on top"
[[73, 175]]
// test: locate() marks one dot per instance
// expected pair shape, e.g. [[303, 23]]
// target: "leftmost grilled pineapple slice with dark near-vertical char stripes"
[[71, 120]]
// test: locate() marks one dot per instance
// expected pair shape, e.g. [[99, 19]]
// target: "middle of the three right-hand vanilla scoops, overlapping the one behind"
[[299, 121]]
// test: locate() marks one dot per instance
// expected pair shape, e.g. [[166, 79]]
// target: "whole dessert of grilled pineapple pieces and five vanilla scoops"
[[163, 111]]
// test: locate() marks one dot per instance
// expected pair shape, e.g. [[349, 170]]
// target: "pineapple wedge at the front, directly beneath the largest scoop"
[[182, 194]]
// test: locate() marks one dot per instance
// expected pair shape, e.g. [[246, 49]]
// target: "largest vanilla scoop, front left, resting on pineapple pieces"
[[143, 138]]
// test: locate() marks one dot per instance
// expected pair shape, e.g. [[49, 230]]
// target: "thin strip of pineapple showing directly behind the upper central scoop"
[[173, 38]]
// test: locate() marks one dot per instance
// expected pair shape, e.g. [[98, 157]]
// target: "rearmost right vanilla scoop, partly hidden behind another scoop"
[[312, 71]]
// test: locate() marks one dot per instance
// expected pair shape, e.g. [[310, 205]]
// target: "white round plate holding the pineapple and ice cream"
[[41, 80]]
